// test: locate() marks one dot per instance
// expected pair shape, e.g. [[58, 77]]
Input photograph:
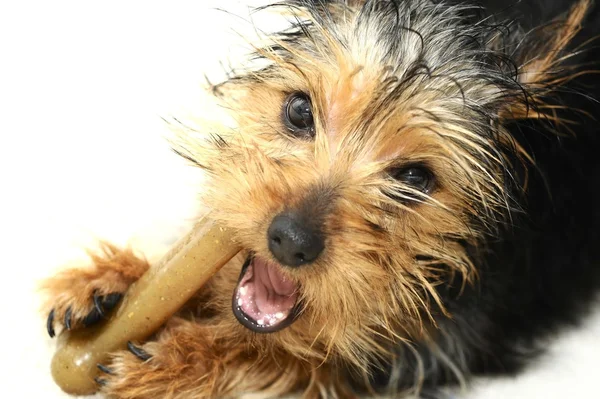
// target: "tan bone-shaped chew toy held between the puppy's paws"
[[155, 297]]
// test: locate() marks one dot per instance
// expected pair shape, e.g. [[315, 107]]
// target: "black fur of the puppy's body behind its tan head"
[[542, 272]]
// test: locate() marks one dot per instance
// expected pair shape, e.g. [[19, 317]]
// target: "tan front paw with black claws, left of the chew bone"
[[80, 297]]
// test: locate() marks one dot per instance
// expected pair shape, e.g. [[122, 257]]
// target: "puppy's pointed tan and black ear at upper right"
[[543, 58]]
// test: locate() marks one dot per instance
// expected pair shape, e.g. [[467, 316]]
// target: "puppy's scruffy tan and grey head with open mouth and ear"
[[367, 157]]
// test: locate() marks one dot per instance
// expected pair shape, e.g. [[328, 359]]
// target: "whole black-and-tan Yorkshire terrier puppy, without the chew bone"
[[415, 186]]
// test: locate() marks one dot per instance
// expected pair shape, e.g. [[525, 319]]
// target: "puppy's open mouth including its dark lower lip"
[[264, 300]]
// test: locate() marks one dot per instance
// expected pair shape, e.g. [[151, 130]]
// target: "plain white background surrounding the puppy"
[[82, 156]]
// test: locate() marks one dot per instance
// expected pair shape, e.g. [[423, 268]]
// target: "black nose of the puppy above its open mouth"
[[292, 241]]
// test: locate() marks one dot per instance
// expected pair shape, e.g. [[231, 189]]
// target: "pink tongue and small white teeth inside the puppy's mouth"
[[265, 295]]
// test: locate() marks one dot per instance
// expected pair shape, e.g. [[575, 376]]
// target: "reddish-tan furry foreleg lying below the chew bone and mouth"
[[191, 359]]
